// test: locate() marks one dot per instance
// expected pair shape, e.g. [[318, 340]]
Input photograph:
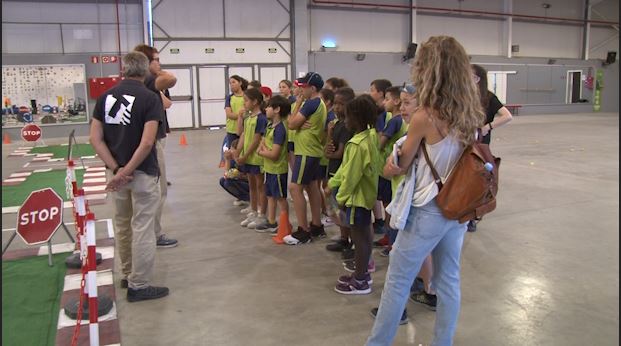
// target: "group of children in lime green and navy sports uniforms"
[[335, 144]]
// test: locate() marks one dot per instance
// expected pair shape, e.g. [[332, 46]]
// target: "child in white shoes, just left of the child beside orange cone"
[[249, 161]]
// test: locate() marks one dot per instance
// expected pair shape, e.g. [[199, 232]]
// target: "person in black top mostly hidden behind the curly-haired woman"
[[496, 114]]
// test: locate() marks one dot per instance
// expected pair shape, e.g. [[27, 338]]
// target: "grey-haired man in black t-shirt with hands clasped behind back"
[[123, 133]]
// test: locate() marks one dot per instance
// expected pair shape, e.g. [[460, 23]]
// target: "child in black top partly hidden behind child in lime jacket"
[[338, 136]]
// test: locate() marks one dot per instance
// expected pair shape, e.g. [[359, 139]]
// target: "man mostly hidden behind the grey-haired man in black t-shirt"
[[159, 81]]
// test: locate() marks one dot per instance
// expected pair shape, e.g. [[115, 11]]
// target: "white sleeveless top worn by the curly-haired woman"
[[443, 155]]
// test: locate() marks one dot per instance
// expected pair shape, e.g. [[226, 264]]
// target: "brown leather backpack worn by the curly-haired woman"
[[470, 190]]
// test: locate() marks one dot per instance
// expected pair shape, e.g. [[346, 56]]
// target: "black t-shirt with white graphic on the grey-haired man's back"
[[124, 110]]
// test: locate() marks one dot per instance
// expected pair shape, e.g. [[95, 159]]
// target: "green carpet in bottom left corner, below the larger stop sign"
[[31, 292]]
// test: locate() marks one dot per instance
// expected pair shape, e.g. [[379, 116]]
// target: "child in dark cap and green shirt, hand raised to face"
[[308, 150]]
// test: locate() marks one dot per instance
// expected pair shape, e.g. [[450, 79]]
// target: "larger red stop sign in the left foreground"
[[39, 216]]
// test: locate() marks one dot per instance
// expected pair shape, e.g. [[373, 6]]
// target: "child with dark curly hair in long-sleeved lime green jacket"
[[356, 181]]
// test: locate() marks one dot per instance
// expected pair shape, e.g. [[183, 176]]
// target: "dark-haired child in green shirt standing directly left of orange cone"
[[273, 149]]
